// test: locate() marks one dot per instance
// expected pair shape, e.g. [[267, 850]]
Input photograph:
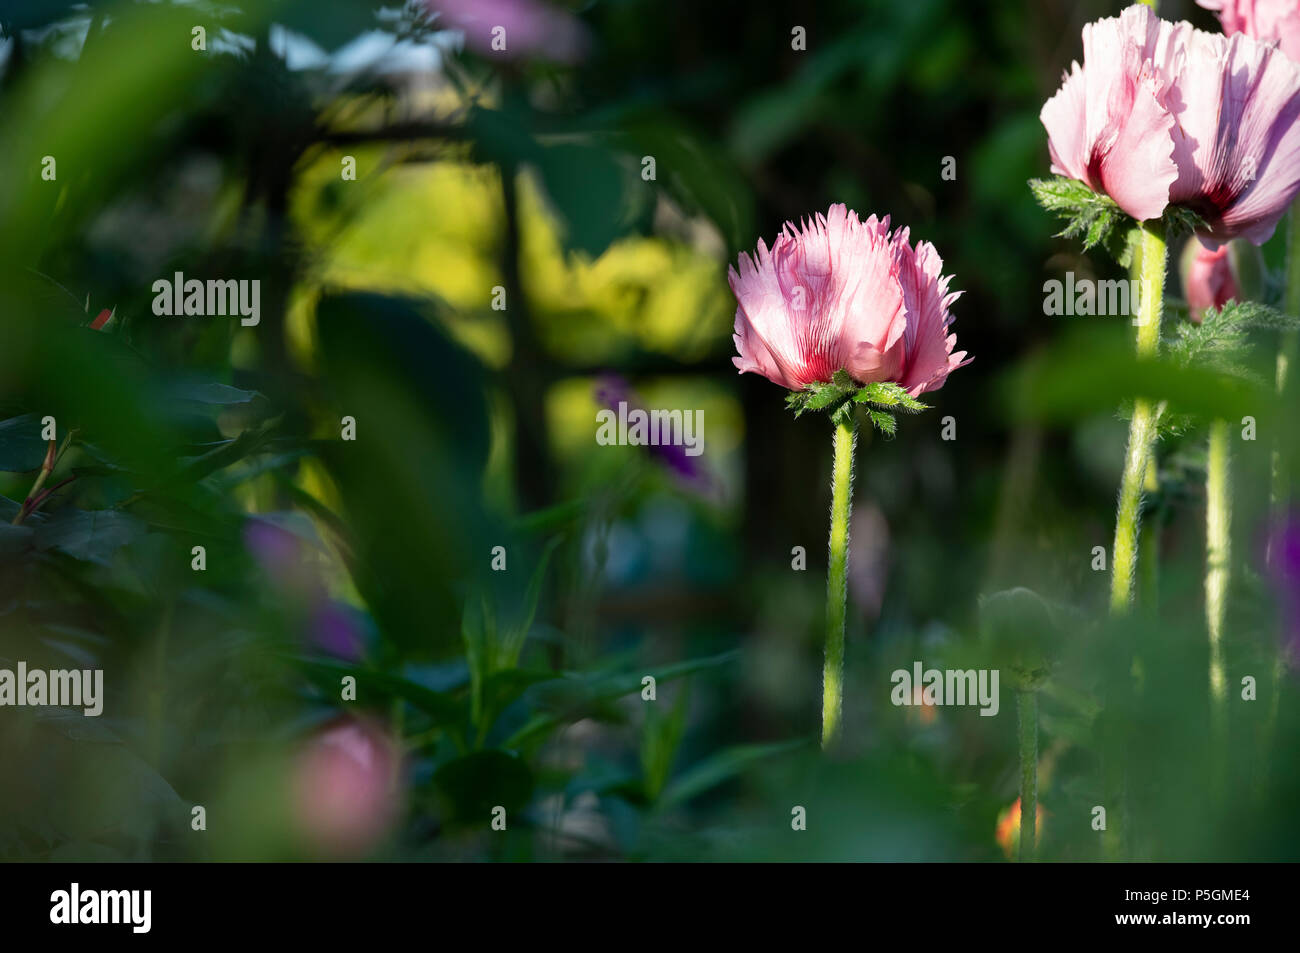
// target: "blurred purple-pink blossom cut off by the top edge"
[[528, 28]]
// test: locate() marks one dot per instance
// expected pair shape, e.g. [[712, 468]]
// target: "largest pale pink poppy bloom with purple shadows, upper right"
[[1165, 114]]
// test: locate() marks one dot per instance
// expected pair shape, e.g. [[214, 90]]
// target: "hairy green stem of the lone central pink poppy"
[[838, 575]]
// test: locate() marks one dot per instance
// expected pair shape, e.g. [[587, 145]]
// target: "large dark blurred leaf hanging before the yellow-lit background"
[[411, 480]]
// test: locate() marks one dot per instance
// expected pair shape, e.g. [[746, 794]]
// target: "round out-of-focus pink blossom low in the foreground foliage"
[[345, 789]]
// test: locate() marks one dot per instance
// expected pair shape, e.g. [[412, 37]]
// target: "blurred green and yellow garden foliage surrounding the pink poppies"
[[372, 558]]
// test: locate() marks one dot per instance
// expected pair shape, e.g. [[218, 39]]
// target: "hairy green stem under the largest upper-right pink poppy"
[[1142, 428]]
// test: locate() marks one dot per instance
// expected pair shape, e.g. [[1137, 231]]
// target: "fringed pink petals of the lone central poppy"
[[844, 294]]
